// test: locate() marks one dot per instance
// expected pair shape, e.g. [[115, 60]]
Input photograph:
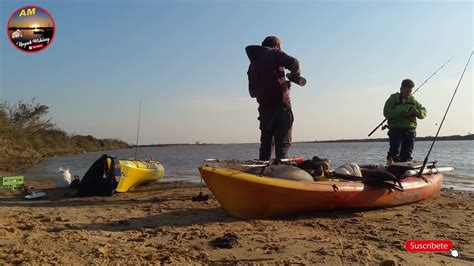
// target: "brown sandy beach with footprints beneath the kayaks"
[[159, 223]]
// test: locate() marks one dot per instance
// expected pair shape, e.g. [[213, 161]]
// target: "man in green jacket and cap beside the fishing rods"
[[401, 111]]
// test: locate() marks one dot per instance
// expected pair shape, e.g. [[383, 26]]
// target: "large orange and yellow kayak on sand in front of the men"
[[247, 195]]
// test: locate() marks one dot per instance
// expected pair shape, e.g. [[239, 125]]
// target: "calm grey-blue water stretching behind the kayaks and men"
[[181, 162]]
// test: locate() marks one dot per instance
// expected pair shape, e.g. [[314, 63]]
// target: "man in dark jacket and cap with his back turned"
[[267, 83]]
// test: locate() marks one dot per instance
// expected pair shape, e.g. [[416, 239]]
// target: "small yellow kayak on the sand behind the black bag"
[[135, 173]]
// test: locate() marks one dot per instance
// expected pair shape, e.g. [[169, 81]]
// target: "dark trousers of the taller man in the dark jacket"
[[275, 129]]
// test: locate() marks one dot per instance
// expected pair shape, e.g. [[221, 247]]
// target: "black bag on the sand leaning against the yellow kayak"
[[100, 179]]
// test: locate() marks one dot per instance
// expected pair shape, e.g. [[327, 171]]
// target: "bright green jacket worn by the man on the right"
[[395, 107]]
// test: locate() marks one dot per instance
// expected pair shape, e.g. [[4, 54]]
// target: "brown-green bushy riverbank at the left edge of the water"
[[27, 136]]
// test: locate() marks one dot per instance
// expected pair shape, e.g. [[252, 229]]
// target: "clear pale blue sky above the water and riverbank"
[[187, 62]]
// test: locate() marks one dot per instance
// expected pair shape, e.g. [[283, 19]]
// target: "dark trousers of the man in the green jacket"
[[402, 141]]
